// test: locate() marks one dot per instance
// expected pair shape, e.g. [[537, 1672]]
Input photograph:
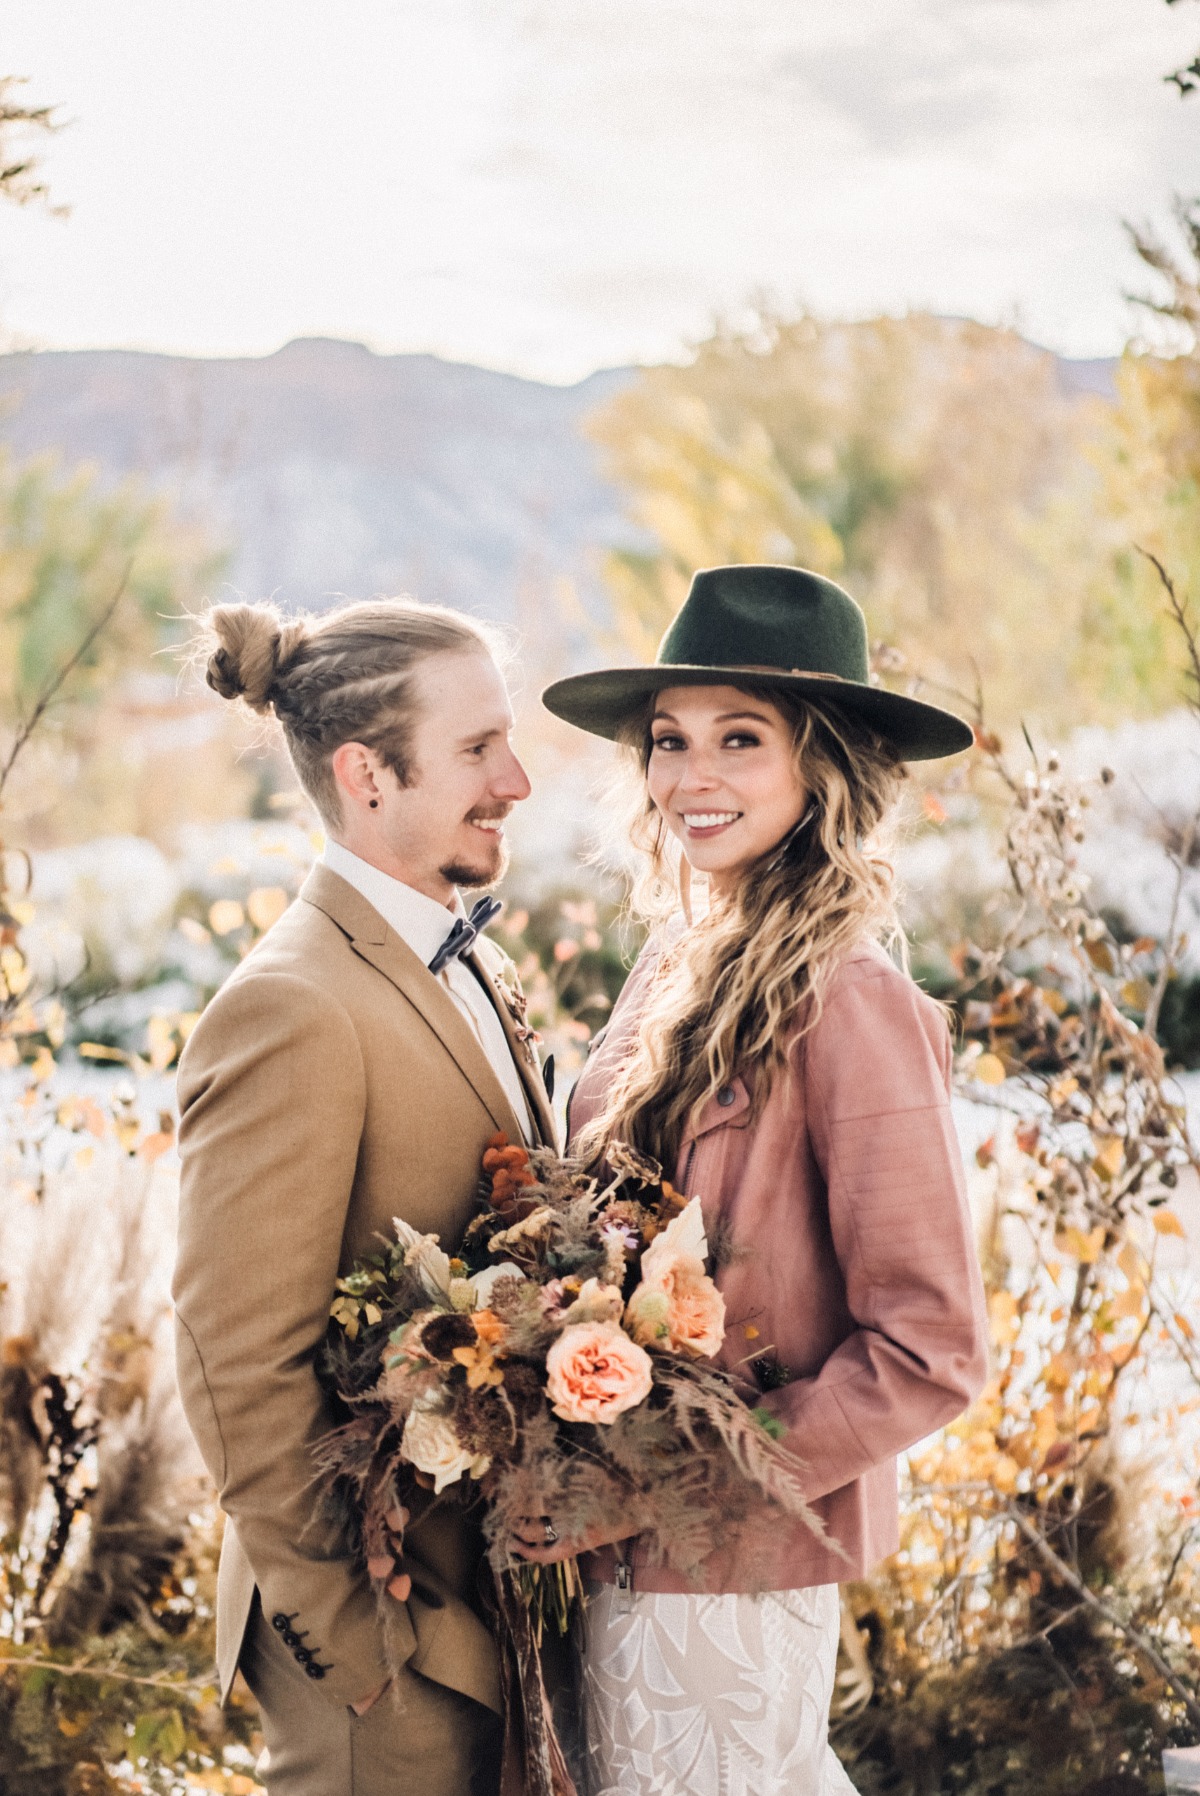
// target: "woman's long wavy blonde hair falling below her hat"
[[745, 983]]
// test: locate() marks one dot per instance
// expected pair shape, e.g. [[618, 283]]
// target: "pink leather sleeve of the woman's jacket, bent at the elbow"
[[878, 1073]]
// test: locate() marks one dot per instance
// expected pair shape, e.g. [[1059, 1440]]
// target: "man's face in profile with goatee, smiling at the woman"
[[446, 827]]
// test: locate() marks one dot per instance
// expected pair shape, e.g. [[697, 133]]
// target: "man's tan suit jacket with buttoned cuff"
[[331, 1086]]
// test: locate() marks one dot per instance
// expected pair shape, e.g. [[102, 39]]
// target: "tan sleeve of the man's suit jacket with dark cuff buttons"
[[272, 1098]]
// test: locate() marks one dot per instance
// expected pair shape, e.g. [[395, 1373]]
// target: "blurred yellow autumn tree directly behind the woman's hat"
[[940, 468]]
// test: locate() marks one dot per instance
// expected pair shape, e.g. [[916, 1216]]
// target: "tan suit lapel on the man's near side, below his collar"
[[375, 942]]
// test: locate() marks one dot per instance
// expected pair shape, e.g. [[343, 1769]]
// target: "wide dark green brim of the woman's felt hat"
[[604, 701]]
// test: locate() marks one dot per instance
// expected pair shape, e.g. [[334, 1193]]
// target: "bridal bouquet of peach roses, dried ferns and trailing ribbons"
[[558, 1364]]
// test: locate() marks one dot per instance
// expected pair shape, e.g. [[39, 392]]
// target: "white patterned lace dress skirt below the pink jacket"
[[712, 1696]]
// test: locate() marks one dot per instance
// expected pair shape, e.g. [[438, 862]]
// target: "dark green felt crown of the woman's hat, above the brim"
[[761, 617]]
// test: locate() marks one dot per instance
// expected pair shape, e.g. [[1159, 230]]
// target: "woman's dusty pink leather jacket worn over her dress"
[[854, 1260]]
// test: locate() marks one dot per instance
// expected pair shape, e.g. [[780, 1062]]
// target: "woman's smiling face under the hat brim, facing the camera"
[[723, 777]]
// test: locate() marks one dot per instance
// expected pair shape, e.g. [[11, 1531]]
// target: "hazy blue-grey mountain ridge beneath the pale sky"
[[333, 471]]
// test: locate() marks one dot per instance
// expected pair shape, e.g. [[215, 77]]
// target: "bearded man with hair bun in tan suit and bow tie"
[[333, 1084]]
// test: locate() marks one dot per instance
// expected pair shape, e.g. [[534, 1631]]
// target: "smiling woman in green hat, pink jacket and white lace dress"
[[797, 1080]]
